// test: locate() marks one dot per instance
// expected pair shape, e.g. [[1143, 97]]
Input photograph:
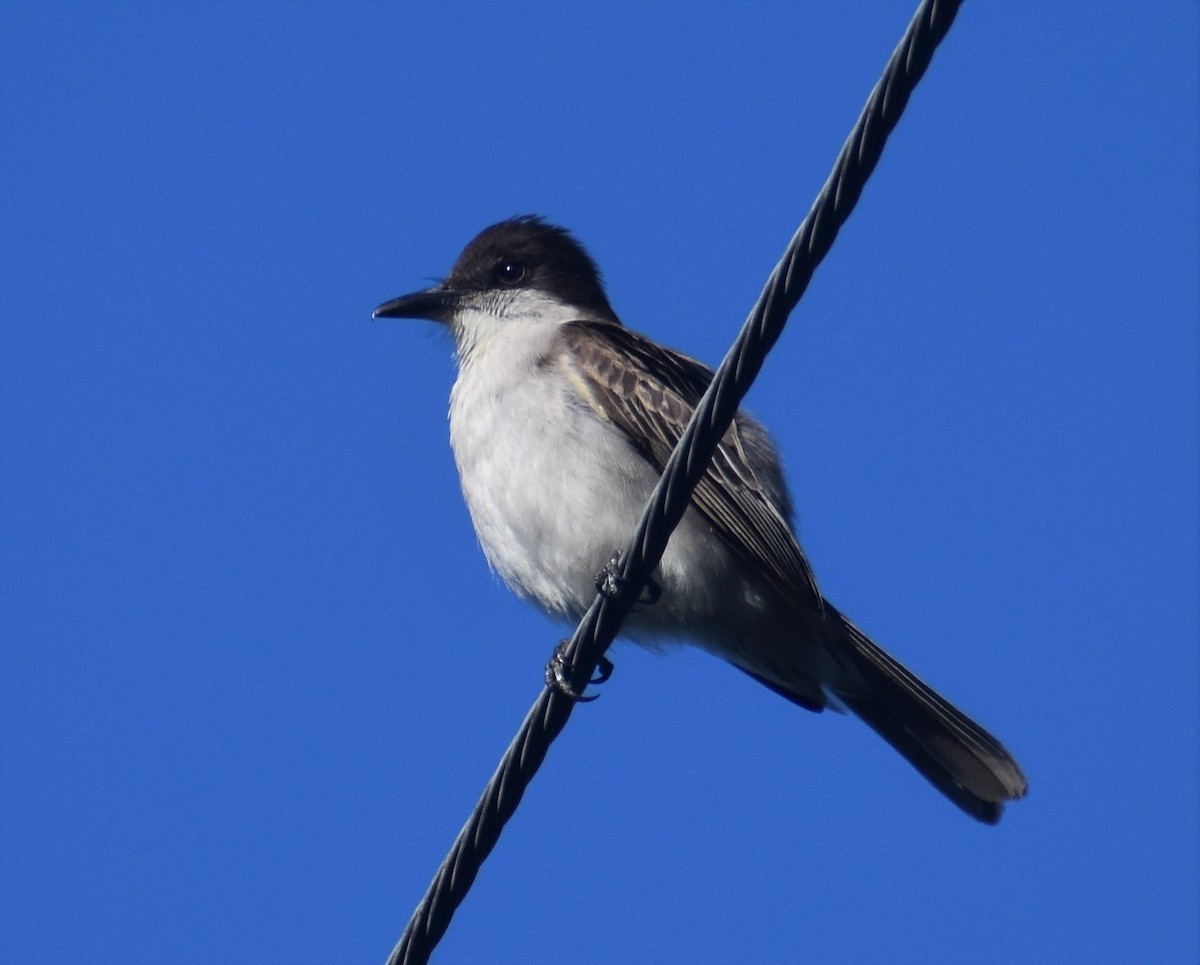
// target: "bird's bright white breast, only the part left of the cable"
[[551, 489]]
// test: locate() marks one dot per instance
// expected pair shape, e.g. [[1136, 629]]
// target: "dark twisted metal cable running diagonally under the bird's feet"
[[713, 416]]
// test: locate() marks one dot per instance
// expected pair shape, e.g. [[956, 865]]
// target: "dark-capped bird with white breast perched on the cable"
[[562, 421]]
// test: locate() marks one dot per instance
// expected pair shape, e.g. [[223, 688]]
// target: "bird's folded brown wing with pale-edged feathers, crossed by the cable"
[[650, 393]]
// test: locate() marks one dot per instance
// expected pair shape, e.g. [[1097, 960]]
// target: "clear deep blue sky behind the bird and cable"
[[254, 670]]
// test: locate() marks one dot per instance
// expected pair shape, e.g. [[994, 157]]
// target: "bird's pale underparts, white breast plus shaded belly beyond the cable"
[[555, 490]]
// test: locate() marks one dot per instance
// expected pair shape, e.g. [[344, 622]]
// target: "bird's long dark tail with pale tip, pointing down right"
[[958, 757]]
